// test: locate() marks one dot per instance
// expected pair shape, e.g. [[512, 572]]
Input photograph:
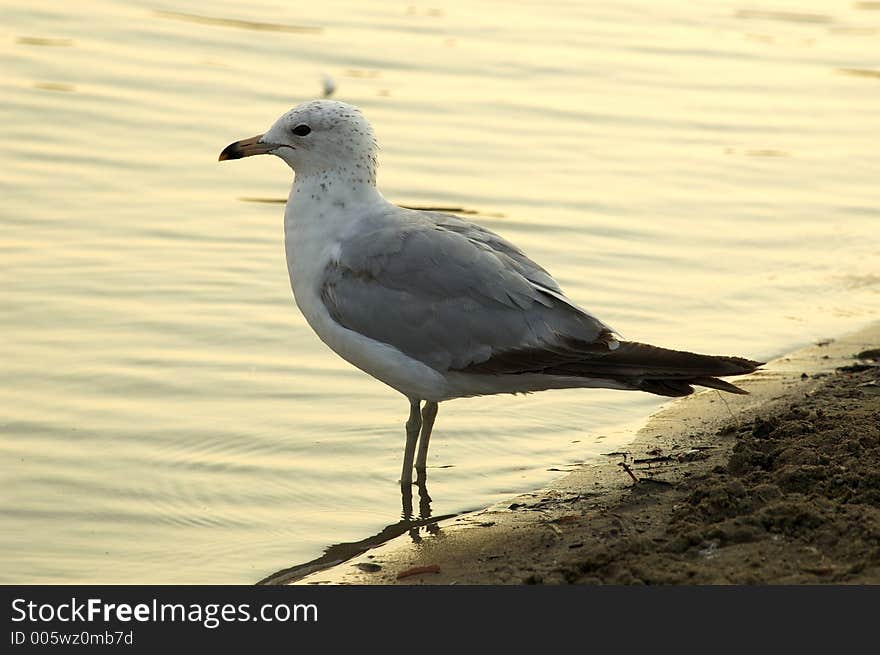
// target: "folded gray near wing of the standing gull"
[[455, 296]]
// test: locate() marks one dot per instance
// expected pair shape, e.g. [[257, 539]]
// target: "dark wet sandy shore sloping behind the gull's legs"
[[781, 486]]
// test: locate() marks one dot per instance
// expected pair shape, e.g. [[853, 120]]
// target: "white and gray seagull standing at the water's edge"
[[435, 306]]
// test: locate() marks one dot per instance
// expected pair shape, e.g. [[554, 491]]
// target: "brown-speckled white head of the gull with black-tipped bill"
[[317, 137]]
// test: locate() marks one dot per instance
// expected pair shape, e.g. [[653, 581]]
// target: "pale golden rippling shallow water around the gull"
[[700, 175]]
